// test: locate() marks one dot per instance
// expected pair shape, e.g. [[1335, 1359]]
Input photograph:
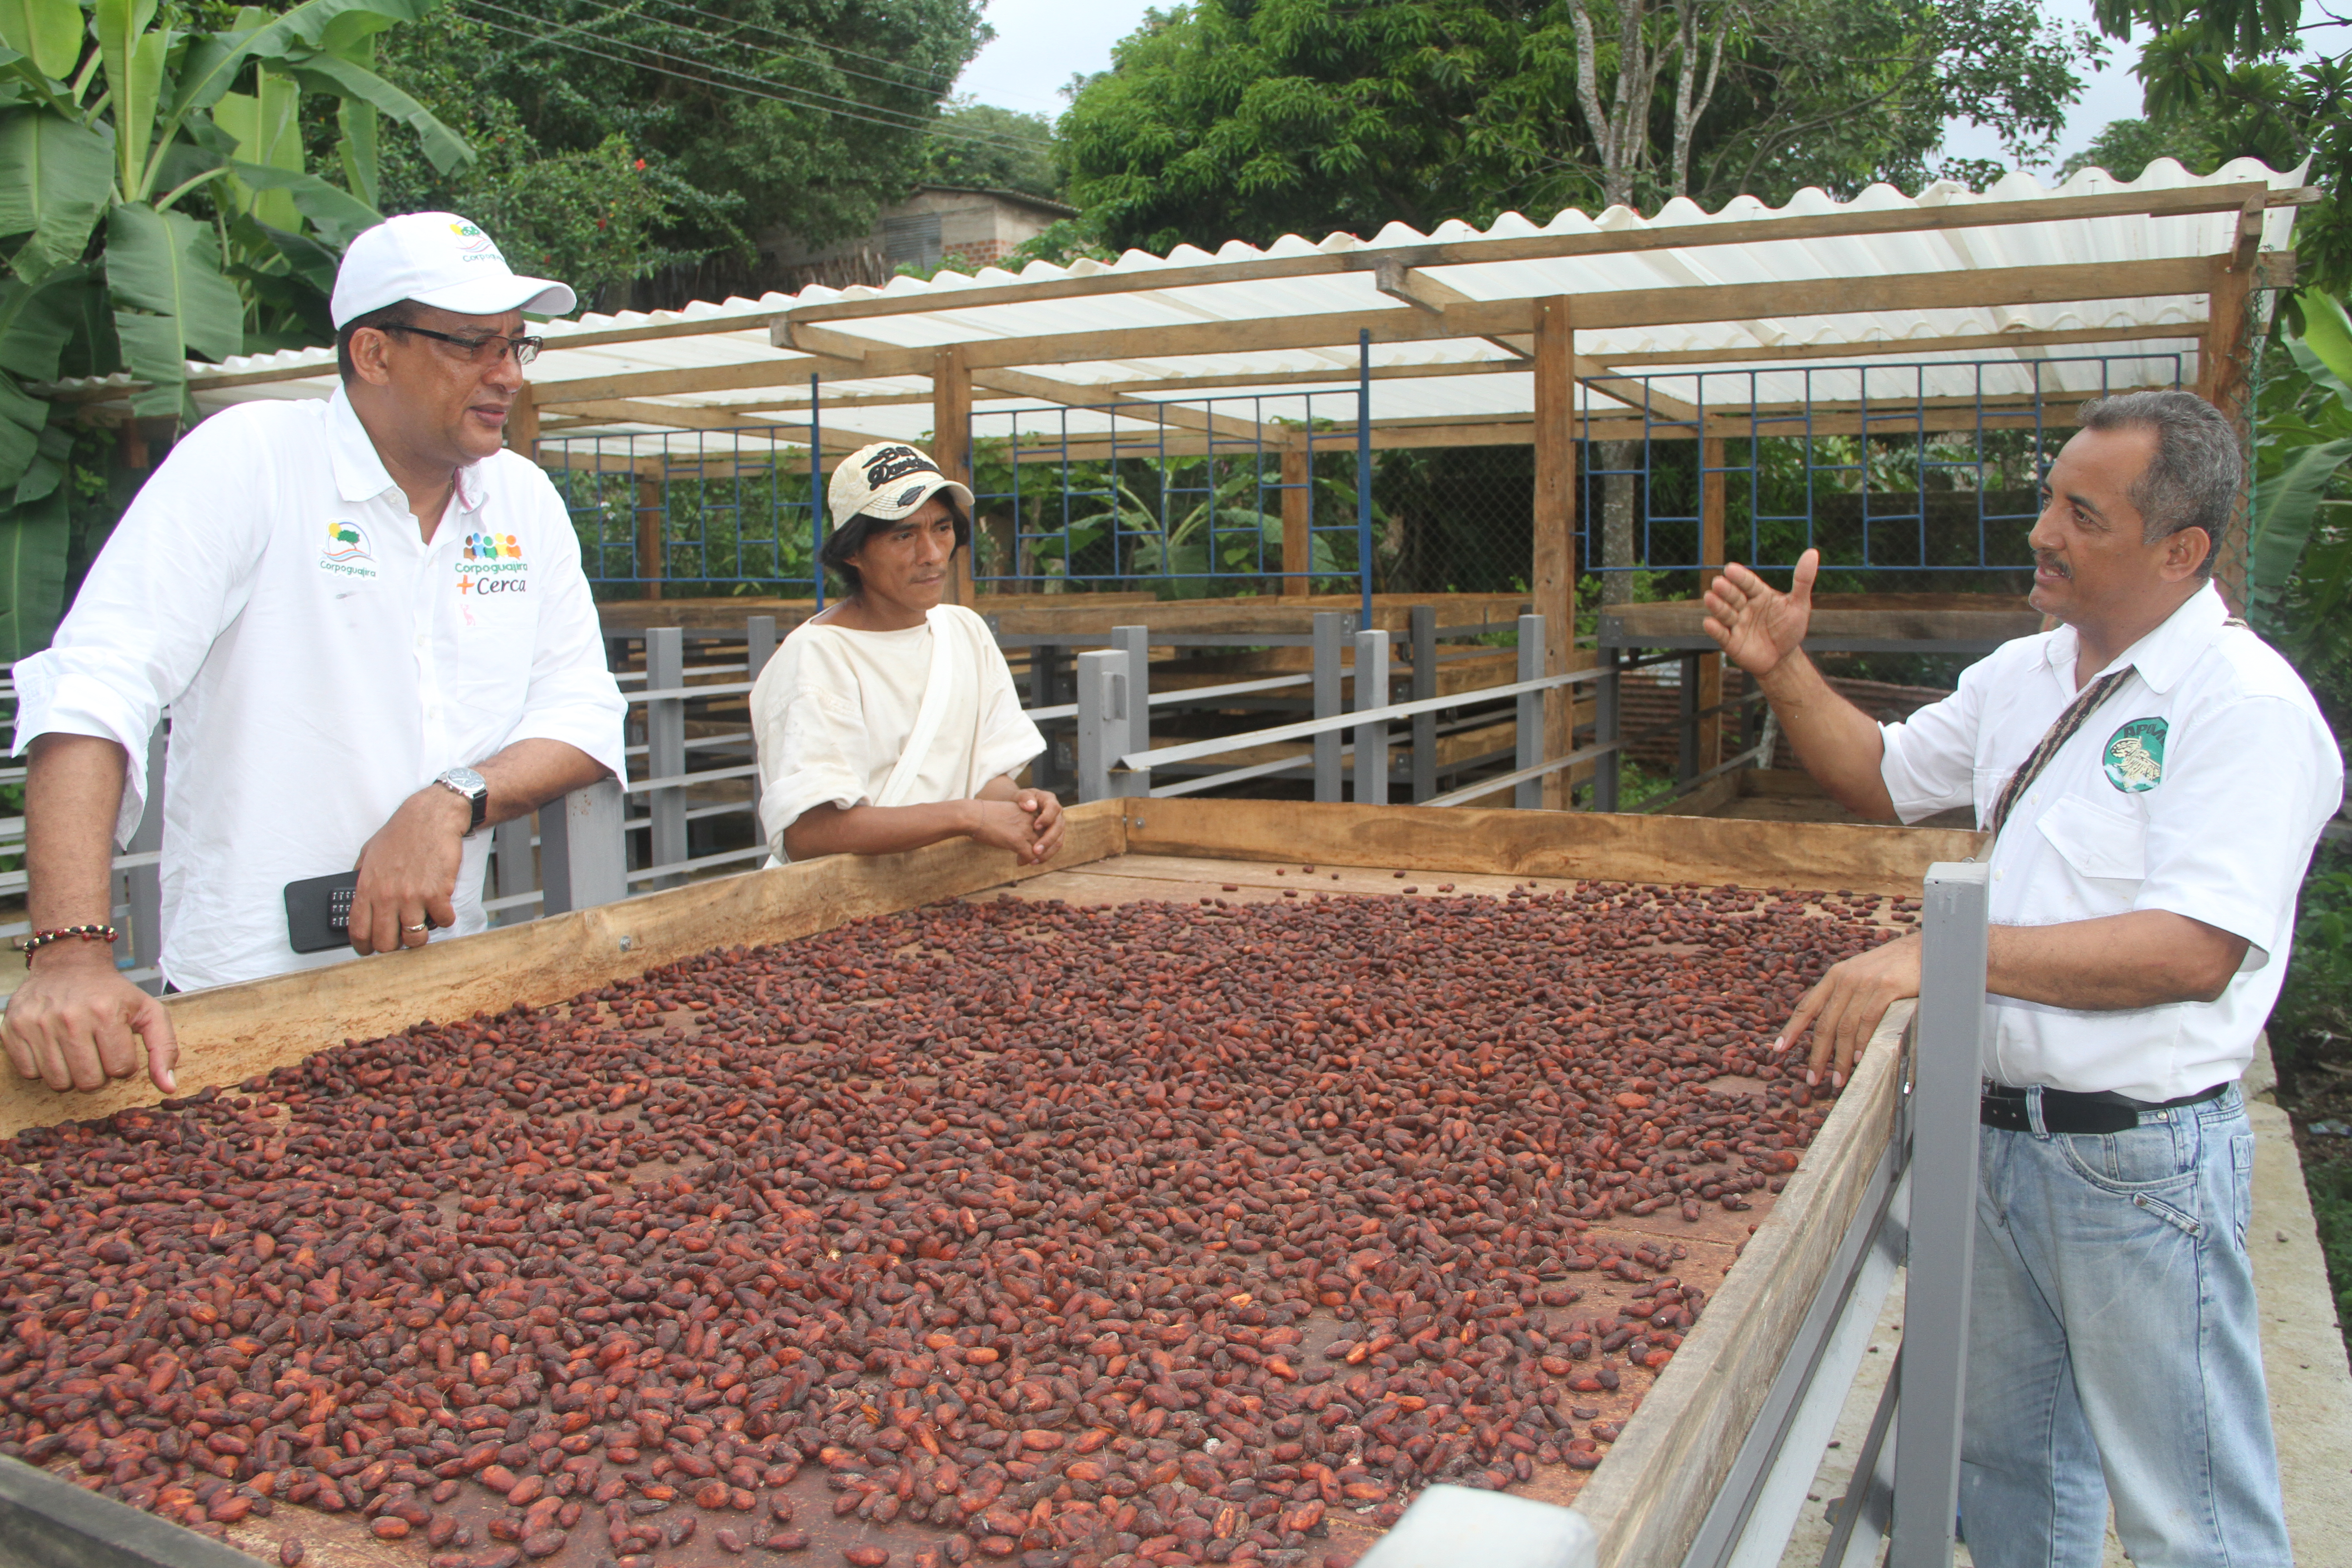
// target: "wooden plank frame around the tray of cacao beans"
[[1671, 1461]]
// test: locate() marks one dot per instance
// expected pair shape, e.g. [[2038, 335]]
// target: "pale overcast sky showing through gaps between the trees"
[[1043, 43]]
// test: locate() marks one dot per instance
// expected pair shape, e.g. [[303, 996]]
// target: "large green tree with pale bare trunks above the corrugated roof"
[[1299, 116]]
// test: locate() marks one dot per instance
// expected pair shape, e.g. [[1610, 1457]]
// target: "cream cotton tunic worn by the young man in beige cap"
[[834, 713]]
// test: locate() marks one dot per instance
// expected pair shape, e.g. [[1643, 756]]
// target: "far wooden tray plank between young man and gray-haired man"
[[1582, 845]]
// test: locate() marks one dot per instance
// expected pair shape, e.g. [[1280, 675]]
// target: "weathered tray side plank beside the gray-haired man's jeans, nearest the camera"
[[1662, 1477]]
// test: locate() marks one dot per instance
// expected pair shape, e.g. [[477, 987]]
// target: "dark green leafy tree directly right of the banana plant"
[[749, 114]]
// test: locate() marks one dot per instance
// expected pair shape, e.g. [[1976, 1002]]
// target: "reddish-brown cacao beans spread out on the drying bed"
[[998, 1231]]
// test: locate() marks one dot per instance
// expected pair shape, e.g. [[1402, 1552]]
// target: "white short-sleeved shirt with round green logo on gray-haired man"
[[2200, 786]]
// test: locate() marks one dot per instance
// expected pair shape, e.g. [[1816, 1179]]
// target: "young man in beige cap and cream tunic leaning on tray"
[[890, 721]]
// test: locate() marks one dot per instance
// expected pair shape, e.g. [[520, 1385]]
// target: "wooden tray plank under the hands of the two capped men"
[[232, 1033]]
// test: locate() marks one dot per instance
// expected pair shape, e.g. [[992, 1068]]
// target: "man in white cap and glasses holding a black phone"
[[375, 638]]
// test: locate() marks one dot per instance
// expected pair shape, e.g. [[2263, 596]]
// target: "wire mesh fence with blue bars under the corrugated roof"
[[1895, 476]]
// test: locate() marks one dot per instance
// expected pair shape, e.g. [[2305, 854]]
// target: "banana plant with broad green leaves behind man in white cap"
[[154, 206]]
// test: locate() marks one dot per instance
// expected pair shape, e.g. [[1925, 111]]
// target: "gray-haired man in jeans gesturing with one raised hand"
[[2153, 779]]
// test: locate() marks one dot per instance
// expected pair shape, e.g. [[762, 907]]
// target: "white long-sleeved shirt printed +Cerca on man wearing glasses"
[[321, 664]]
